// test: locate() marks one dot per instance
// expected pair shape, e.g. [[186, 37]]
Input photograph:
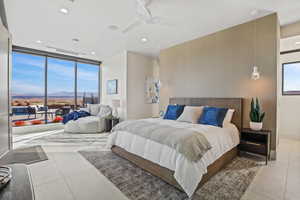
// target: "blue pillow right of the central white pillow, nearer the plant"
[[213, 116]]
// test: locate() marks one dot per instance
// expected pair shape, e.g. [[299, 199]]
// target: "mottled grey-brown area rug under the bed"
[[137, 184]]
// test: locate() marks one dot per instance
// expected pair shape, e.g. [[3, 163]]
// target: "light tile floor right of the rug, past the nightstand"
[[280, 180]]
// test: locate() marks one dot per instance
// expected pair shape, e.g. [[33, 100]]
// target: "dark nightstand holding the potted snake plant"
[[257, 142]]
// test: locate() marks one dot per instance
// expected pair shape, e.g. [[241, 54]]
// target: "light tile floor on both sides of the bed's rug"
[[68, 176]]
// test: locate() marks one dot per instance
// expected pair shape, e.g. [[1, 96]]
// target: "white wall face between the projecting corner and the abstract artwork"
[[139, 68]]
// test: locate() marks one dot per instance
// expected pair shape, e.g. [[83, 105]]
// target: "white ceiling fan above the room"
[[144, 16]]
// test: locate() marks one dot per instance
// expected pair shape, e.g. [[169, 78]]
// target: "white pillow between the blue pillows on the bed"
[[191, 114]]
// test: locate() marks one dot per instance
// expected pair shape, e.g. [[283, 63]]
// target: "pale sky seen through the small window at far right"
[[292, 77]]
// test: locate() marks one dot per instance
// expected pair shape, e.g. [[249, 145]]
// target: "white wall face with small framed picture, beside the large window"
[[115, 68]]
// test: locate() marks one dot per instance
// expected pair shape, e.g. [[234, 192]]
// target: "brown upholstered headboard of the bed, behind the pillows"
[[233, 103]]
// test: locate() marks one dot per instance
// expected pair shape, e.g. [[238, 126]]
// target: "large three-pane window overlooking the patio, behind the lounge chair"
[[45, 88]]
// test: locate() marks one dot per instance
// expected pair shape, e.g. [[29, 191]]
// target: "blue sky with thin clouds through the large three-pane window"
[[28, 76]]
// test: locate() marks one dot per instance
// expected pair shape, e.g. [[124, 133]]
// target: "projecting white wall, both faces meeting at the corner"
[[131, 70]]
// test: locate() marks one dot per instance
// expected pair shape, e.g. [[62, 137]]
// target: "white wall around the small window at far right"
[[288, 106]]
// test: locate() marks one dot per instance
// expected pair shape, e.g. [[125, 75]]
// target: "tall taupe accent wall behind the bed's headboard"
[[220, 65]]
